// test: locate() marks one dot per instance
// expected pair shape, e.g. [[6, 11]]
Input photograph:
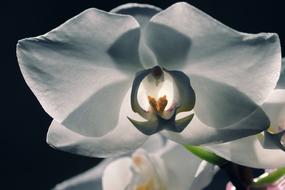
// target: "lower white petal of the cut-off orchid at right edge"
[[250, 152]]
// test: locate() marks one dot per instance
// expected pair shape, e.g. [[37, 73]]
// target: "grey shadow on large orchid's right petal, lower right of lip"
[[219, 105]]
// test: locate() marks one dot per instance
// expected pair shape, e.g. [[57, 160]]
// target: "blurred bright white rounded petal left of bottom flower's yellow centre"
[[117, 175]]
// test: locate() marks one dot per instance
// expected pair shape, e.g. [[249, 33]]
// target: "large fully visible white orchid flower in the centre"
[[112, 79]]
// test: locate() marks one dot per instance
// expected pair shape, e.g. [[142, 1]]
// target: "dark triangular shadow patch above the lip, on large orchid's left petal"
[[124, 51]]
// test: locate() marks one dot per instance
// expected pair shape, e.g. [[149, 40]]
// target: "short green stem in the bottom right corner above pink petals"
[[269, 178]]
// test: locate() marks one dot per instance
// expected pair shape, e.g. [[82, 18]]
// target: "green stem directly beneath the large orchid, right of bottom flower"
[[207, 155]]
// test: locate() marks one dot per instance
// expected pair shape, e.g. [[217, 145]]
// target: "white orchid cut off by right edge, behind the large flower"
[[265, 150]]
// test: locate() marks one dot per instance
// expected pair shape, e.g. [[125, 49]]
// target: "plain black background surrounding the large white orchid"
[[26, 161]]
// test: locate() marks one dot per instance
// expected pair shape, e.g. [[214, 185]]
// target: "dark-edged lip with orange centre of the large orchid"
[[157, 96]]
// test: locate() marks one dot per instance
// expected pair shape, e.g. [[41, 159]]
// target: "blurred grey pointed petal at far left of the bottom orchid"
[[91, 179]]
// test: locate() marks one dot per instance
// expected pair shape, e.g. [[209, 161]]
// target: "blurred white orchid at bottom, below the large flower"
[[170, 167]]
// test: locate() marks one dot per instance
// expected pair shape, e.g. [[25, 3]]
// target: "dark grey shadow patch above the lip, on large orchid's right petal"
[[170, 47]]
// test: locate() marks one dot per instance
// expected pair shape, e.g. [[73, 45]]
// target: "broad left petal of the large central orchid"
[[79, 72]]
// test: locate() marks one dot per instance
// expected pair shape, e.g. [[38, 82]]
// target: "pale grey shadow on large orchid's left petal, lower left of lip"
[[99, 114]]
